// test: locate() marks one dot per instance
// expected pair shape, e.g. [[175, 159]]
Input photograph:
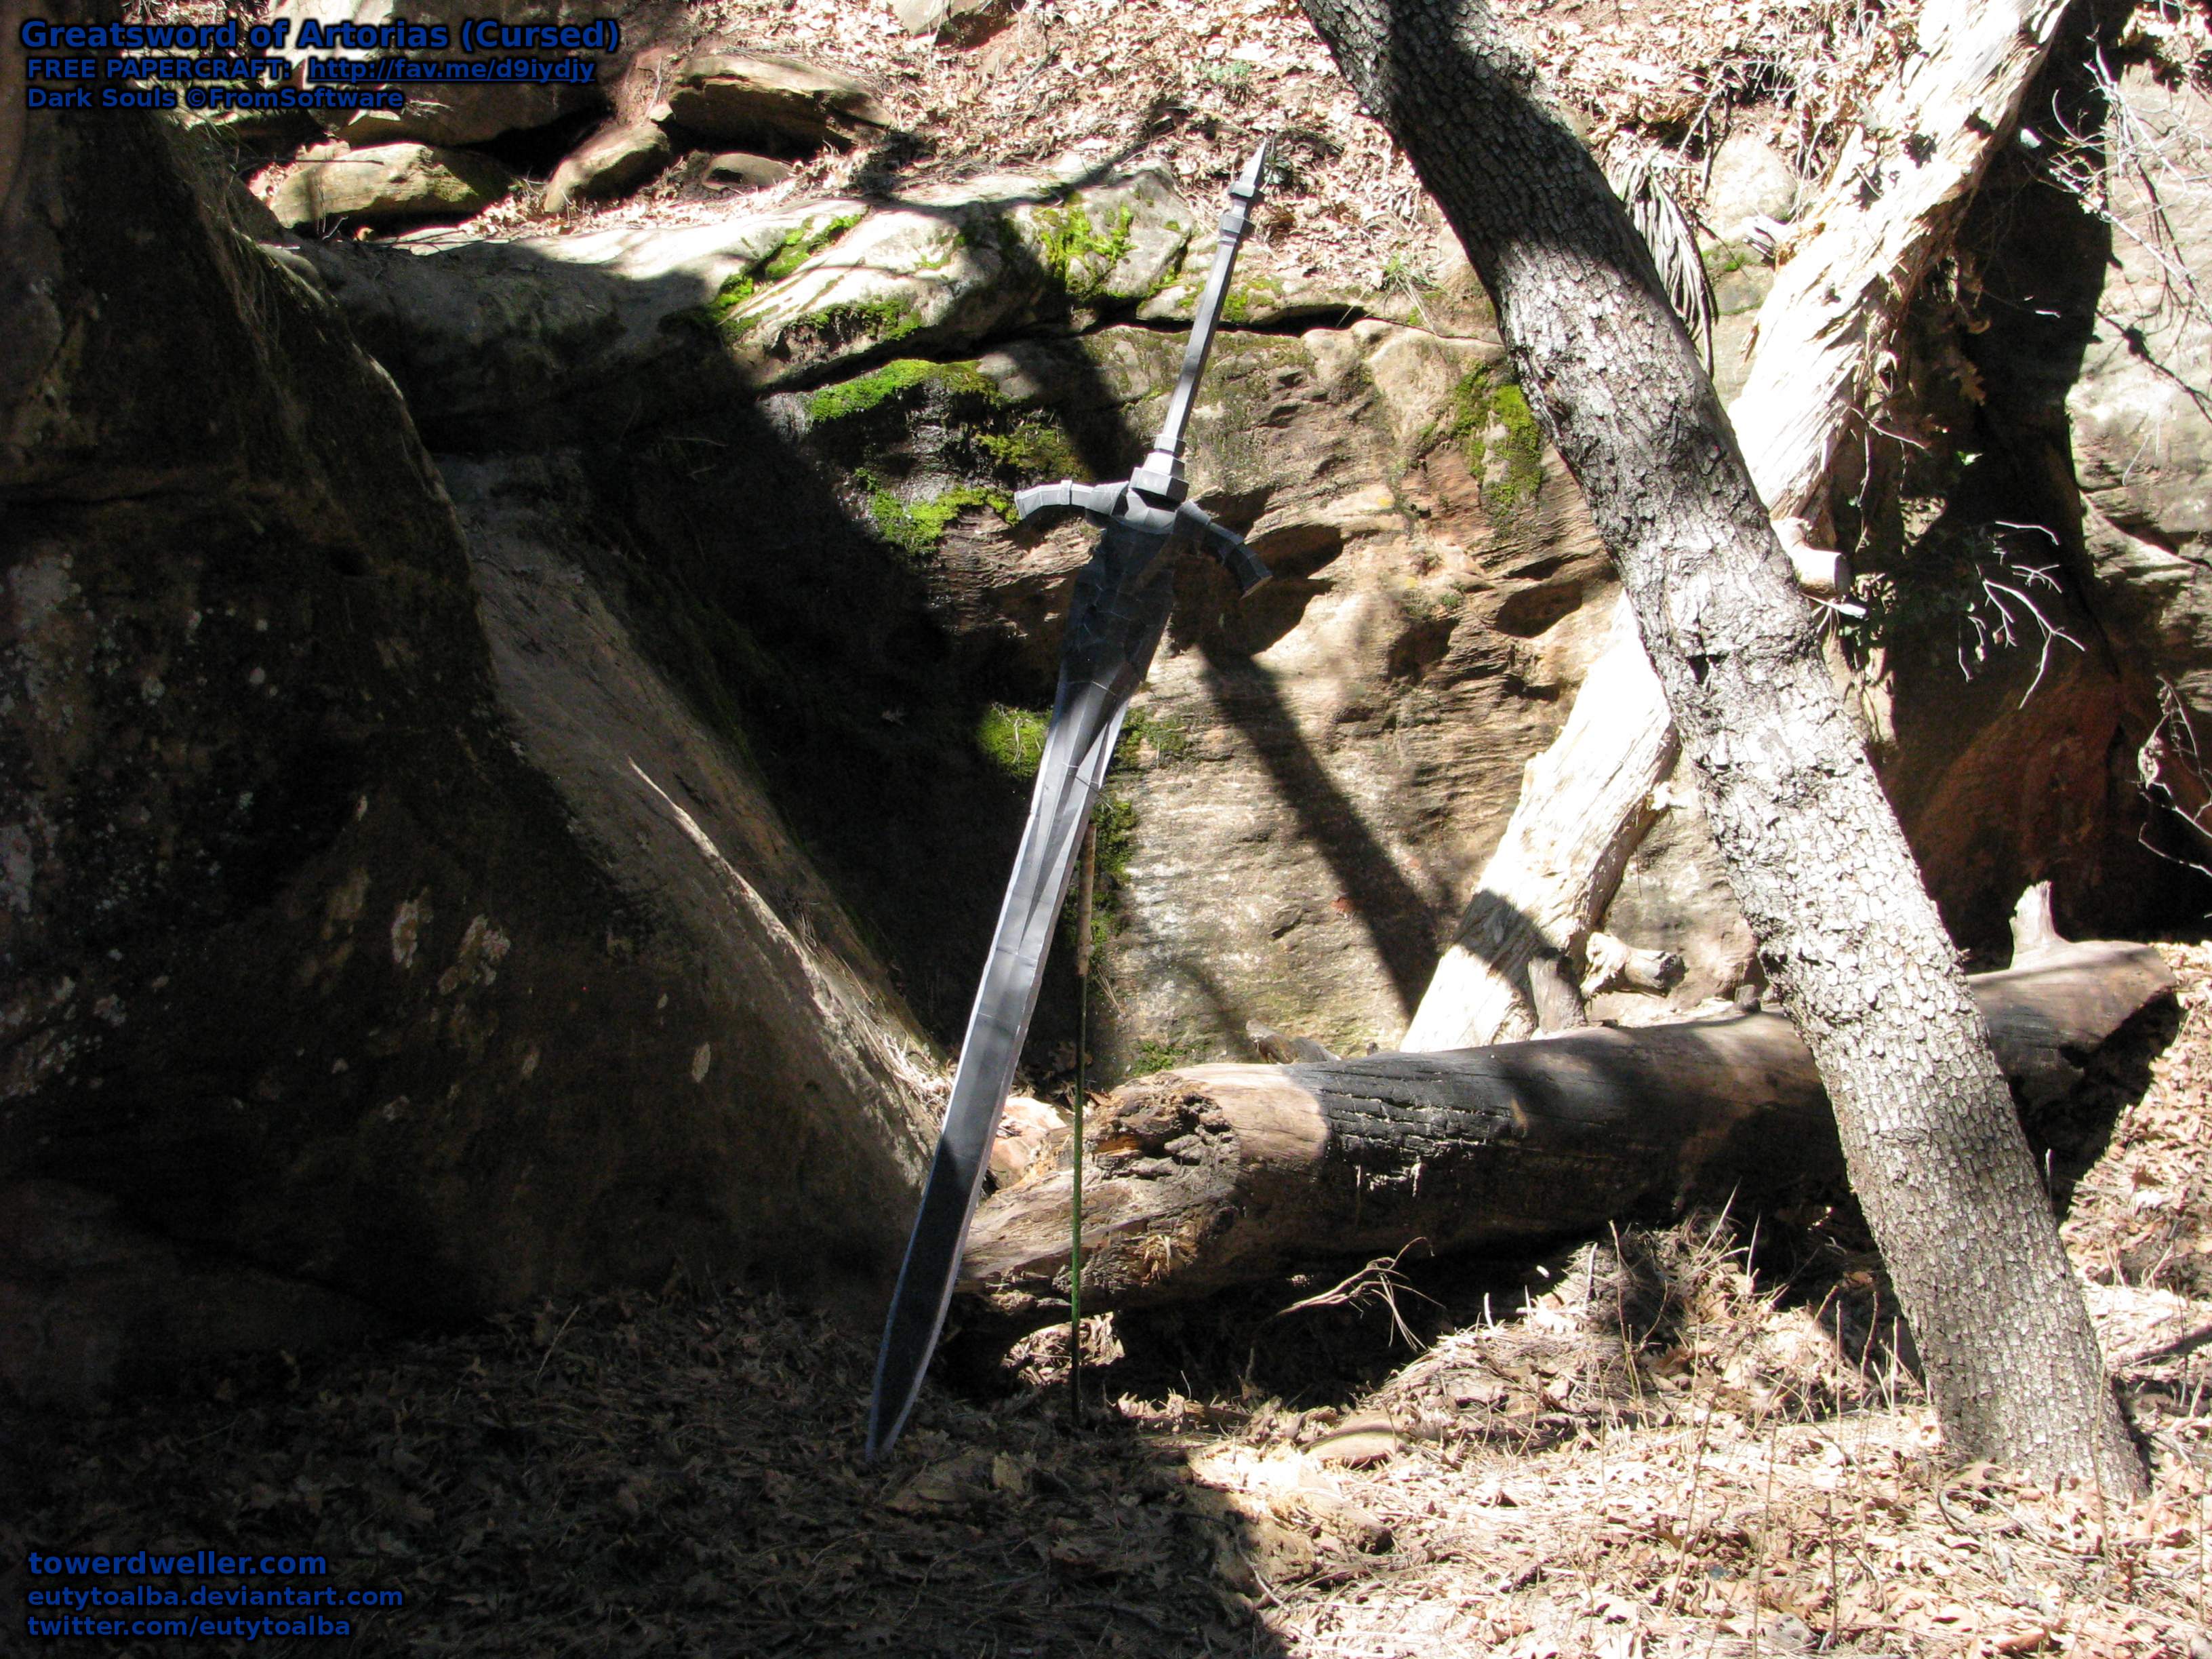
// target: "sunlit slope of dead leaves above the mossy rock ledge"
[[1193, 85]]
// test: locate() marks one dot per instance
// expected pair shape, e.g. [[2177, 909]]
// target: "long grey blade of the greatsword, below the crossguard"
[[1114, 632]]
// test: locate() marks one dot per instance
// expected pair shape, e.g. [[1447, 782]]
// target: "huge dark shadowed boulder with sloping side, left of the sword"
[[379, 917]]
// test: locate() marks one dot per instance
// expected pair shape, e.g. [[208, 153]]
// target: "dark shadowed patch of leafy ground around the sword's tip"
[[654, 1474]]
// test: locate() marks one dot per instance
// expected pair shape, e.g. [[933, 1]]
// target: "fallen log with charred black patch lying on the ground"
[[1224, 1176]]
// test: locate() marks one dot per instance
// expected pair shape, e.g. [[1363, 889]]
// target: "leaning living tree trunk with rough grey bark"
[[1815, 853]]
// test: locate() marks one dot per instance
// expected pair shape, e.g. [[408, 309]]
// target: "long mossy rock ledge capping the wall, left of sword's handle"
[[525, 342]]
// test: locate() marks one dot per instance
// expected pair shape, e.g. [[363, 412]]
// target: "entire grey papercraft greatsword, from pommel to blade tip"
[[1114, 627]]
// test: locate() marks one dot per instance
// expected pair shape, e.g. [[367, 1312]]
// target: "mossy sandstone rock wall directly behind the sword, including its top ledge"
[[833, 410]]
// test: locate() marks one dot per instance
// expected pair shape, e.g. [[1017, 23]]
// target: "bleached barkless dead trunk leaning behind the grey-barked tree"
[[1824, 340]]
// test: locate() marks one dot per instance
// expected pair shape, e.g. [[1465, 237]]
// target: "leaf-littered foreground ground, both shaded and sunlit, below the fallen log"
[[1700, 1441]]
